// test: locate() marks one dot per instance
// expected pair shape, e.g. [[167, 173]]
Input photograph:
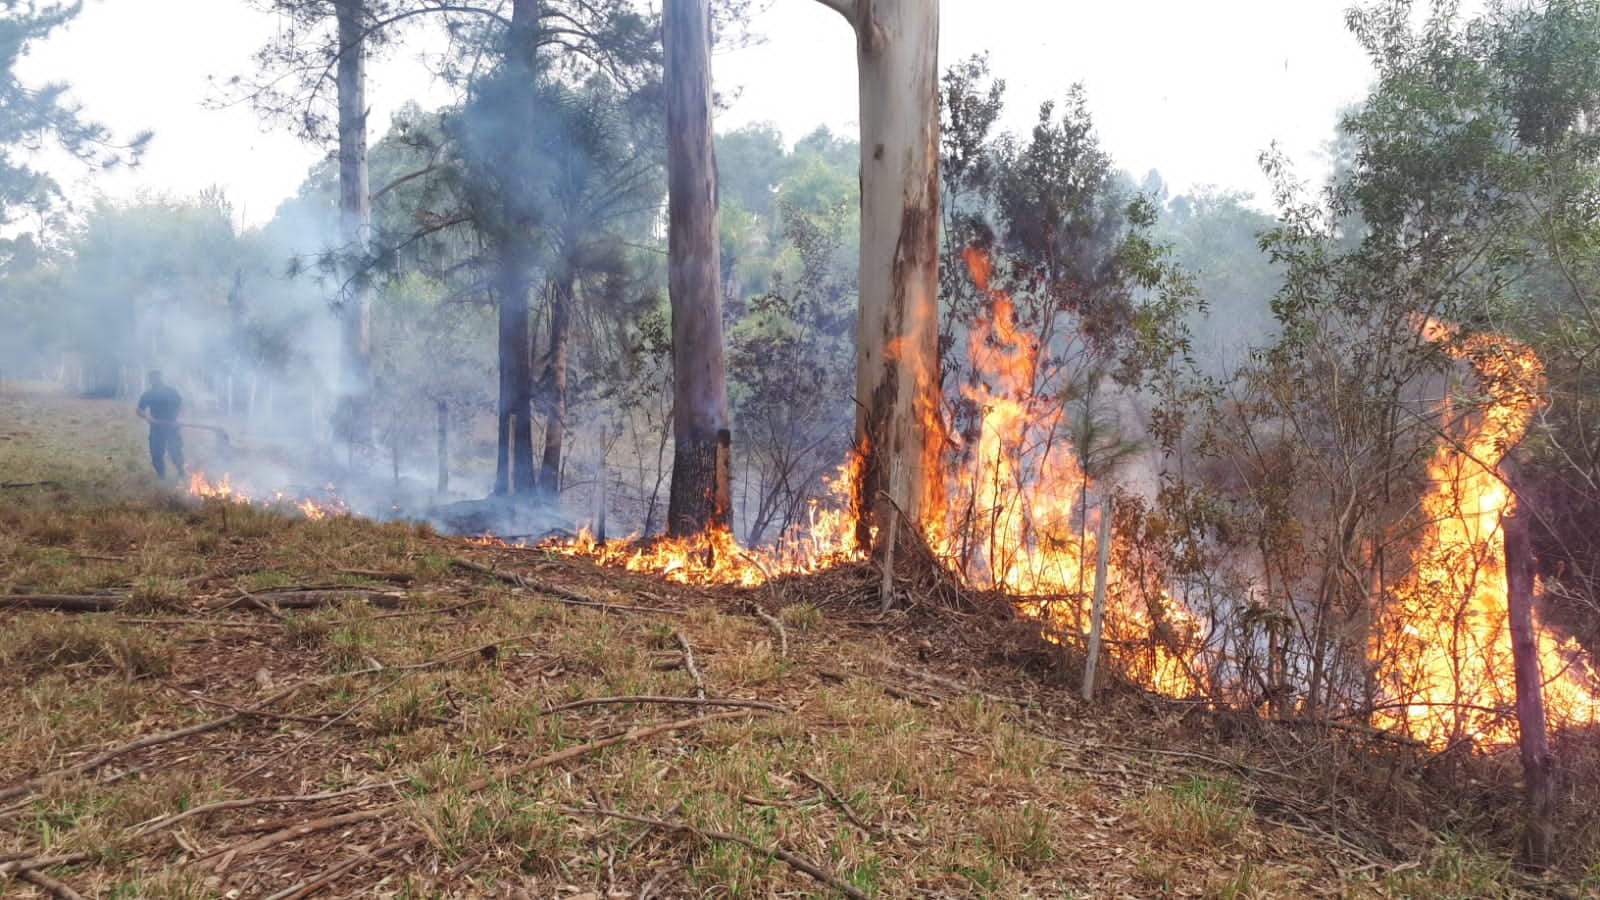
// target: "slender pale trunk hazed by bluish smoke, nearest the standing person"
[[356, 225]]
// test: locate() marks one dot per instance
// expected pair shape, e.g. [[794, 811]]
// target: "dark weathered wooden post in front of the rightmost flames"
[[1535, 744]]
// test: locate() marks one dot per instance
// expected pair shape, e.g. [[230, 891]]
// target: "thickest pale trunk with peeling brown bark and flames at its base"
[[898, 414]]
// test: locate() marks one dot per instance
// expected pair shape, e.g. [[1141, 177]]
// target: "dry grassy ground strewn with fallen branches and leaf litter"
[[215, 701]]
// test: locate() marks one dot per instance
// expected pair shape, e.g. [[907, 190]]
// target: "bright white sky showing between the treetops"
[[1193, 89]]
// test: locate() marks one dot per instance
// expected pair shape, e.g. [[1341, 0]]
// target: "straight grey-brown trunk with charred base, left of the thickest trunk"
[[700, 492]]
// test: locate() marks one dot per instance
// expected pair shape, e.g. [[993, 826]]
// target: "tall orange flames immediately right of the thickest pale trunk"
[[1018, 515]]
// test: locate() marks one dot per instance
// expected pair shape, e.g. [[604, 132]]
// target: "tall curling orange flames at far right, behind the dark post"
[[1446, 645]]
